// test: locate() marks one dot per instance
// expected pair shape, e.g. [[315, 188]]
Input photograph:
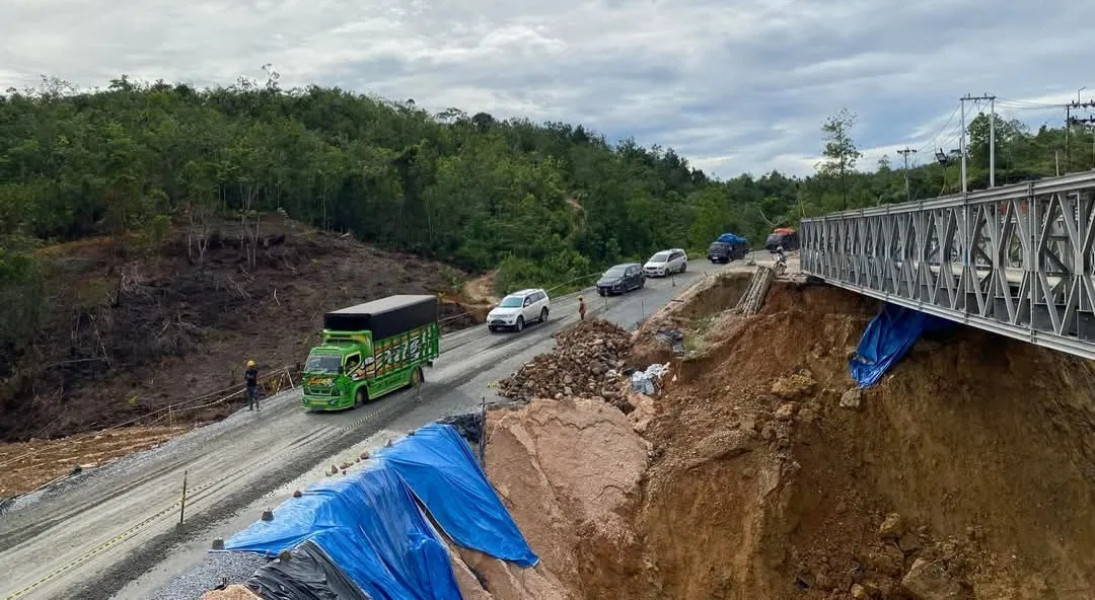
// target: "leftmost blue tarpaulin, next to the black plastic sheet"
[[372, 527]]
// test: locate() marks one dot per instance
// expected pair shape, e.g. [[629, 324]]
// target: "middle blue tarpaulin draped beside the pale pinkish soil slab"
[[442, 470]]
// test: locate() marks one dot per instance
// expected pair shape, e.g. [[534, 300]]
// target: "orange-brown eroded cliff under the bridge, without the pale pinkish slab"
[[964, 441]]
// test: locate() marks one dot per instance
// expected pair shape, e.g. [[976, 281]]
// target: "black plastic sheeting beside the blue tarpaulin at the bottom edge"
[[308, 575]]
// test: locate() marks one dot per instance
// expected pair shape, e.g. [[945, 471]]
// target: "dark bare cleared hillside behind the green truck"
[[126, 336]]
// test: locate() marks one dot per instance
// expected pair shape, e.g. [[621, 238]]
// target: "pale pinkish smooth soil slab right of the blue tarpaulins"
[[570, 471]]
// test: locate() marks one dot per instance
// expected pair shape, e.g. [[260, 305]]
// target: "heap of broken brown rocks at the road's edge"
[[586, 363]]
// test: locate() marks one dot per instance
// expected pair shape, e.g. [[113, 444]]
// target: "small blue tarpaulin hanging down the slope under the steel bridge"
[[889, 338]]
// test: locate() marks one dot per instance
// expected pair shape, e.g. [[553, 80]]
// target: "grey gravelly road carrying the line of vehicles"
[[113, 533]]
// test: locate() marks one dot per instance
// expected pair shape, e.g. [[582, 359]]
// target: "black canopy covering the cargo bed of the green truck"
[[385, 318]]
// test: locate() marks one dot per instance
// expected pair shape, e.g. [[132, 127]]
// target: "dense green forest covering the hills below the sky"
[[545, 204]]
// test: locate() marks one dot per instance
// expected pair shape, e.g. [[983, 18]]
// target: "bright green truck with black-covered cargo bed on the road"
[[370, 351]]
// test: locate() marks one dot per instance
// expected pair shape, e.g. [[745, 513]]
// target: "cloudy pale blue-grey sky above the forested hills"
[[736, 86]]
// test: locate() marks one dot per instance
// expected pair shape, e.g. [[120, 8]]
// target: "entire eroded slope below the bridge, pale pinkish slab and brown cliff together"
[[969, 472]]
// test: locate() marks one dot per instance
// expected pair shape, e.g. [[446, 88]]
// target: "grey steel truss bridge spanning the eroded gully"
[[1017, 261]]
